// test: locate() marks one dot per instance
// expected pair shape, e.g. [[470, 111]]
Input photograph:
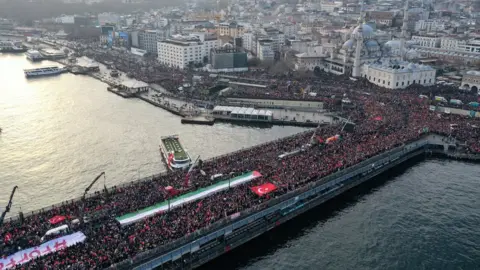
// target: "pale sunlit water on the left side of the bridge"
[[60, 132]]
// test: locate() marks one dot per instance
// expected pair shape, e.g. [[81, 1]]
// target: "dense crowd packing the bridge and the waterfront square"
[[383, 119]]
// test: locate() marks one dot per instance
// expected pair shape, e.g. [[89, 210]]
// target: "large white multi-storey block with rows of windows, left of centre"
[[180, 51]]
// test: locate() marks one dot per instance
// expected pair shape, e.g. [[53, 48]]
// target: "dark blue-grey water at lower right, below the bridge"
[[423, 216]]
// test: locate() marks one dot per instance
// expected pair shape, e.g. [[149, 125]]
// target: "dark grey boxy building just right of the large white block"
[[228, 59]]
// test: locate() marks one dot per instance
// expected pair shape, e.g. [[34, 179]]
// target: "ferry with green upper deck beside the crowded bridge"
[[173, 153]]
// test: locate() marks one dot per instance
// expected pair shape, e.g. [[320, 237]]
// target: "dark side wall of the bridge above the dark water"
[[235, 230]]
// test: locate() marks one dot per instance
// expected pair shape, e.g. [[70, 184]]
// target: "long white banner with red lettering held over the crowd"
[[54, 245]]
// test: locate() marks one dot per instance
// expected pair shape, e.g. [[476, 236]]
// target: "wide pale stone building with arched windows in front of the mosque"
[[398, 74]]
